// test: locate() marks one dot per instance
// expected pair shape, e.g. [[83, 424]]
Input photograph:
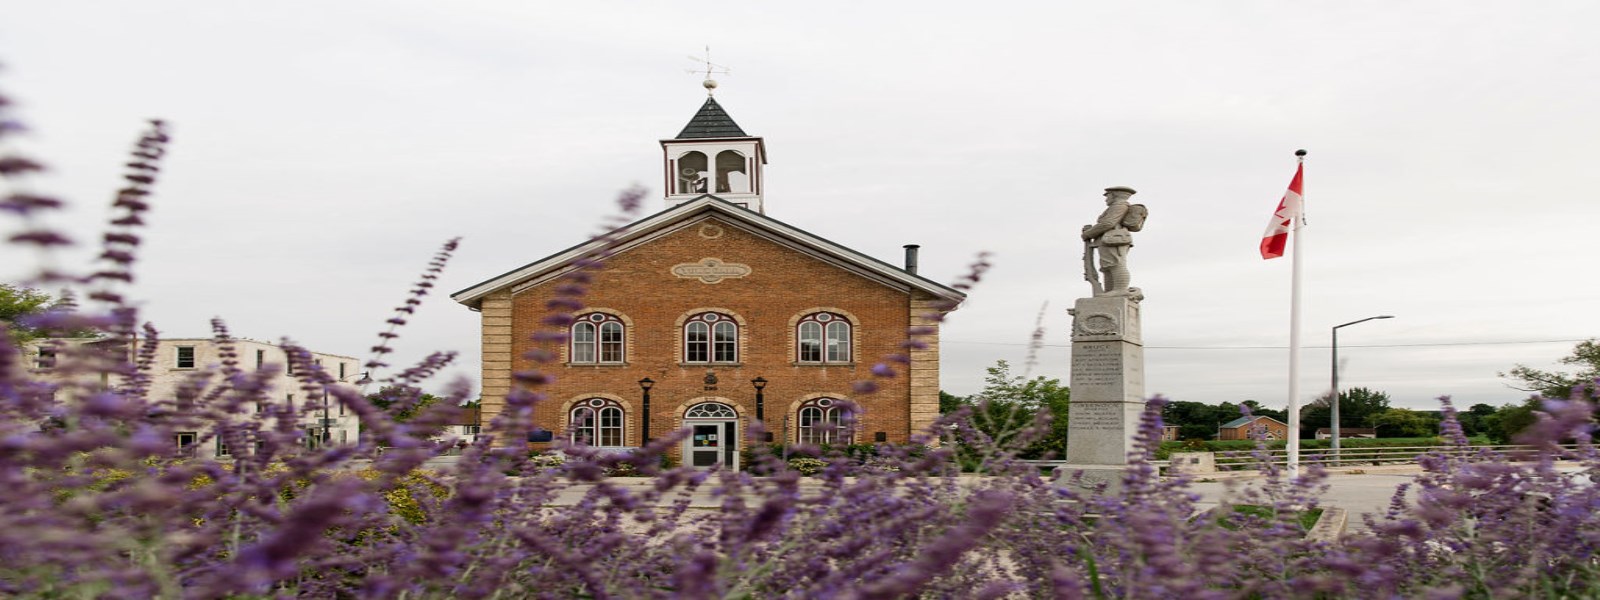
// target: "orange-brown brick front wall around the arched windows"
[[638, 286]]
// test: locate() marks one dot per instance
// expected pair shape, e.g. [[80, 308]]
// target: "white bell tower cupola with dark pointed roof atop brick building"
[[714, 156]]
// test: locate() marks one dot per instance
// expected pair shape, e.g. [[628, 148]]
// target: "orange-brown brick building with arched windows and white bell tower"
[[713, 316]]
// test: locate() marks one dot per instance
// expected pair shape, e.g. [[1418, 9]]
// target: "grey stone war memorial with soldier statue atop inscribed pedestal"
[[1108, 351]]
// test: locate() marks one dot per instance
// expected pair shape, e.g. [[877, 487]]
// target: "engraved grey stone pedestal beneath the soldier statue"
[[1108, 391]]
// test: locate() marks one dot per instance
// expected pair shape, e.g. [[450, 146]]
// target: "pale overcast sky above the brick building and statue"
[[326, 150]]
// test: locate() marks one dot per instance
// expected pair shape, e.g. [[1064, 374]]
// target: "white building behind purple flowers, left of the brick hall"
[[178, 361]]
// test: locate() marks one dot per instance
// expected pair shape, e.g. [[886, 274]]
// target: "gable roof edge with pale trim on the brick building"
[[649, 228]]
